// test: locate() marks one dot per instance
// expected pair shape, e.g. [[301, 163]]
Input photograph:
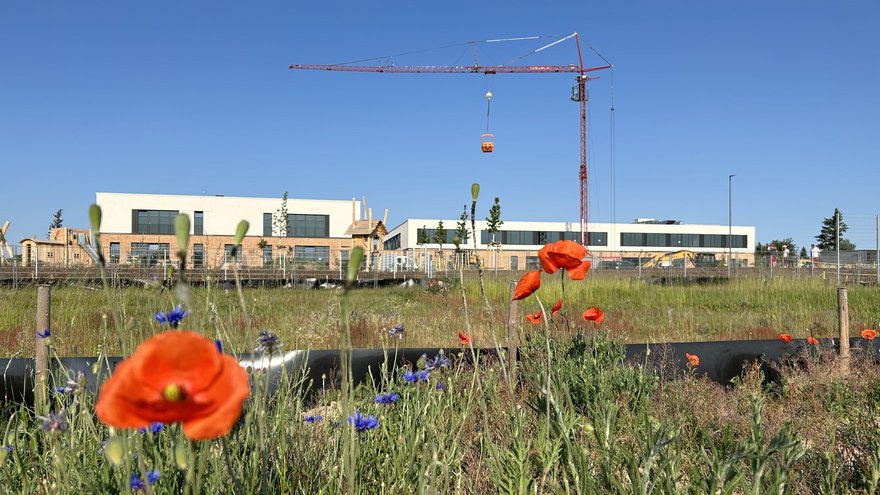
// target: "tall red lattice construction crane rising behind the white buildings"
[[580, 97]]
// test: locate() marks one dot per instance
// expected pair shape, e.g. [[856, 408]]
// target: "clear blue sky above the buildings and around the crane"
[[196, 97]]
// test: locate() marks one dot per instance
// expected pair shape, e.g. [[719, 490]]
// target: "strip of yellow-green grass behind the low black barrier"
[[638, 311]]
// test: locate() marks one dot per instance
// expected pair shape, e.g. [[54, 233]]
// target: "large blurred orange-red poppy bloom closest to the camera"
[[175, 376]]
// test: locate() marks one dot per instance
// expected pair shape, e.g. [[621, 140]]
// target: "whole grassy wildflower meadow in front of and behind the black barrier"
[[570, 418]]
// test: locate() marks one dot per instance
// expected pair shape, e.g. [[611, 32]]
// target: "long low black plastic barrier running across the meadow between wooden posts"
[[720, 361]]
